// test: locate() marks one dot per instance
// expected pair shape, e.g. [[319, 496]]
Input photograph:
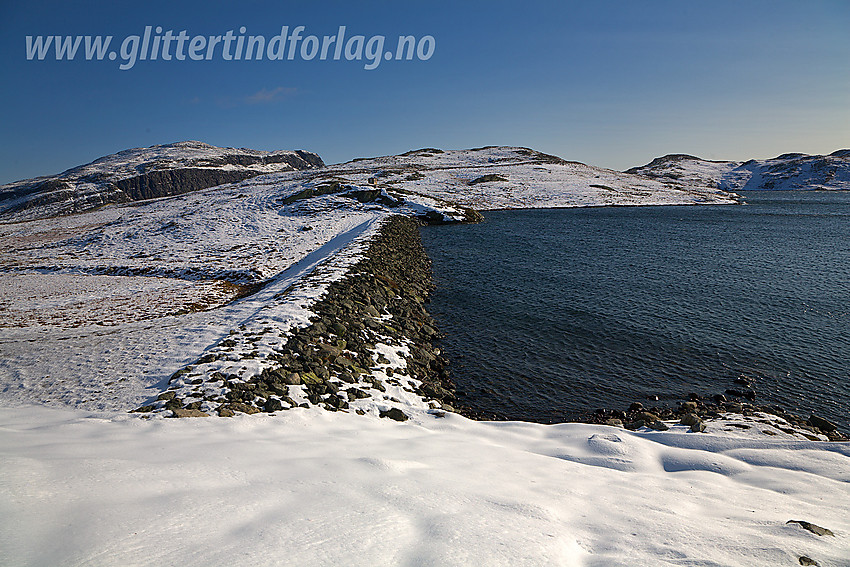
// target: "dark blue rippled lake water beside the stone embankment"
[[552, 313]]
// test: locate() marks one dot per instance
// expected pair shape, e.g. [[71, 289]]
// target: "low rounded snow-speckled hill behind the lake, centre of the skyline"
[[515, 178]]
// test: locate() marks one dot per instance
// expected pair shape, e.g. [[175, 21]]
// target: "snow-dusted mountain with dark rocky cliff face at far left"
[[140, 174]]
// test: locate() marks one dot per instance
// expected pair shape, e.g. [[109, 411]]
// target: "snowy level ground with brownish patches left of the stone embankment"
[[85, 323]]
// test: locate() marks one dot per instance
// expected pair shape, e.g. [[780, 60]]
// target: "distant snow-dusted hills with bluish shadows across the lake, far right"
[[788, 172]]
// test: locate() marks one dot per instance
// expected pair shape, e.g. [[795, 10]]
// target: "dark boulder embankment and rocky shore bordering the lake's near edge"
[[337, 361]]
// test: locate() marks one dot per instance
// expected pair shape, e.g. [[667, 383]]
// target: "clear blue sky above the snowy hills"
[[610, 83]]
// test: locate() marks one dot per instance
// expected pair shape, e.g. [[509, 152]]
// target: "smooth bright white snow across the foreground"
[[315, 488]]
